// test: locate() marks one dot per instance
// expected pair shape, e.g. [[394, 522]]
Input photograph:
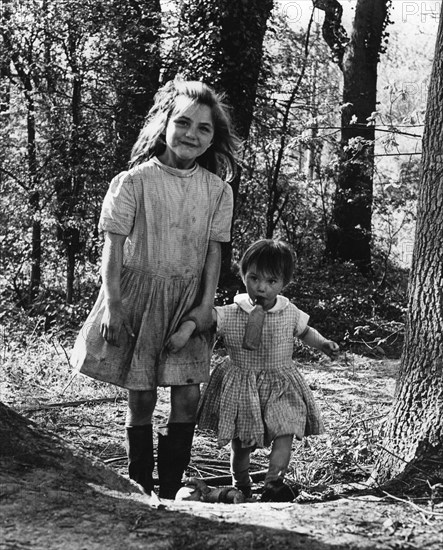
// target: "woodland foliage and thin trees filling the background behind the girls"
[[76, 80]]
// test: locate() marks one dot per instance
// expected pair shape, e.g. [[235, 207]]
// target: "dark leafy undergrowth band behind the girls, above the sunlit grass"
[[364, 315]]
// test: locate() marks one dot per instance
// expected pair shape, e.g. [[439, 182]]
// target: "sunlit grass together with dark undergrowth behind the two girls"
[[365, 317]]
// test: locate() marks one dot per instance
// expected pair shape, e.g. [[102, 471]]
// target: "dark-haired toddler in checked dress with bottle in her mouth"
[[259, 398]]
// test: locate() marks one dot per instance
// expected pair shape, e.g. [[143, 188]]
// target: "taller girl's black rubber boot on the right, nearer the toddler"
[[174, 454]]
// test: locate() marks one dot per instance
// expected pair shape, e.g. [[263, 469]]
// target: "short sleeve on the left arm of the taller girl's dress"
[[119, 206]]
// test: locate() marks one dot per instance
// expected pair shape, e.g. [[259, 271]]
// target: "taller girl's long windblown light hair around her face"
[[220, 158]]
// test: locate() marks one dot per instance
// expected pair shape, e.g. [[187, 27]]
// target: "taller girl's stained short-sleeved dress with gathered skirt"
[[169, 216]]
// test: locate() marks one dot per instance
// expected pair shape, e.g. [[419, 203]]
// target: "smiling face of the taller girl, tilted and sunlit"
[[189, 133]]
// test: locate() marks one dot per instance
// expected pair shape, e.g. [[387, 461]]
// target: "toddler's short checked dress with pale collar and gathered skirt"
[[258, 395]]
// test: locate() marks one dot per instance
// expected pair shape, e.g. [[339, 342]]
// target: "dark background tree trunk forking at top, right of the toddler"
[[349, 235]]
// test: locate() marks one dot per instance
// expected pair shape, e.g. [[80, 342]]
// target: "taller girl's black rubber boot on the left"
[[140, 451]]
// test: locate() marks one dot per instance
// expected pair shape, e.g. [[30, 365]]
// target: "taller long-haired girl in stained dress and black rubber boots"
[[164, 220]]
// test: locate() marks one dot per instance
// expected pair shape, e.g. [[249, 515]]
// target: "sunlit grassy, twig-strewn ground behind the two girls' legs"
[[37, 380]]
